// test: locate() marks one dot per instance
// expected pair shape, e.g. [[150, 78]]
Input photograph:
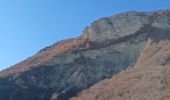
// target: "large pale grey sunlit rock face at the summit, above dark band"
[[116, 26]]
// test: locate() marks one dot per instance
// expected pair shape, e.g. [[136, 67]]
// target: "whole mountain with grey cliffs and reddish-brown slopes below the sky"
[[122, 57]]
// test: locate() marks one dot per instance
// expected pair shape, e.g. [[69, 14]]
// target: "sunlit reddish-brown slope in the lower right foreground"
[[147, 80]]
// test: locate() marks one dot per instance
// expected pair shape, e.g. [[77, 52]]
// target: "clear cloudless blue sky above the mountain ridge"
[[27, 26]]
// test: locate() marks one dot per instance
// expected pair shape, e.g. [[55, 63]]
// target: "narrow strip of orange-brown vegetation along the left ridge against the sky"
[[45, 55]]
